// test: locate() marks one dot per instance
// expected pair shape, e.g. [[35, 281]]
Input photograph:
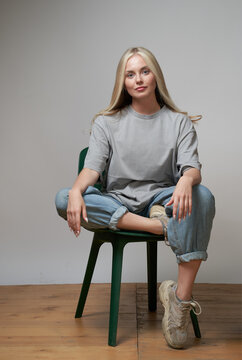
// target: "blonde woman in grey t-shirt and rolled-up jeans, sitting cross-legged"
[[144, 150]]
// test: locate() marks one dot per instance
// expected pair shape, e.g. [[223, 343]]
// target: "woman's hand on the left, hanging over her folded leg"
[[76, 207]]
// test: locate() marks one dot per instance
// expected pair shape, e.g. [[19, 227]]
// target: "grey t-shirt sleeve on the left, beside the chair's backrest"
[[98, 150]]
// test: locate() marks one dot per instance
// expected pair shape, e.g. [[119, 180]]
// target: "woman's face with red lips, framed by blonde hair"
[[139, 80]]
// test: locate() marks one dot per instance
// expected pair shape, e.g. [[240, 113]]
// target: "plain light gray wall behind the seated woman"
[[58, 61]]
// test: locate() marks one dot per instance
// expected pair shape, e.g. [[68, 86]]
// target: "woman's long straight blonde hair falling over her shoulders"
[[120, 97]]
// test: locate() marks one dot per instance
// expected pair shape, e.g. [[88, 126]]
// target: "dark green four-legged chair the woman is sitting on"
[[119, 240]]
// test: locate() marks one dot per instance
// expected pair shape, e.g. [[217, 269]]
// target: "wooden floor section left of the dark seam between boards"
[[37, 322]]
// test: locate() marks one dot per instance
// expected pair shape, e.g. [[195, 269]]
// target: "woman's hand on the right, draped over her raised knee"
[[182, 196]]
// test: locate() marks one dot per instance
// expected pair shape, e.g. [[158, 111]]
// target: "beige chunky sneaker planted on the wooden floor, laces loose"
[[177, 314]]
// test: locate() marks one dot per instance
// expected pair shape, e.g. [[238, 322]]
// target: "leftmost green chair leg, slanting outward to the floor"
[[88, 275]]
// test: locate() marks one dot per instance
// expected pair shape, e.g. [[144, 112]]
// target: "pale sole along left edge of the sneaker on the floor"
[[163, 292]]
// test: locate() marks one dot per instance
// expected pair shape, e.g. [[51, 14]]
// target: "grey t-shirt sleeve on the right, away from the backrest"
[[187, 143]]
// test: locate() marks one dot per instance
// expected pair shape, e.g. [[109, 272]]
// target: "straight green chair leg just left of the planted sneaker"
[[152, 274]]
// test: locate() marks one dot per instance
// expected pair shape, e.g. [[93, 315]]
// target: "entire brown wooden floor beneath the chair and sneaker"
[[37, 322]]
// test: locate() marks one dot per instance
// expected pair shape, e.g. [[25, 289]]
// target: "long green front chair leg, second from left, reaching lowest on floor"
[[118, 246]]
